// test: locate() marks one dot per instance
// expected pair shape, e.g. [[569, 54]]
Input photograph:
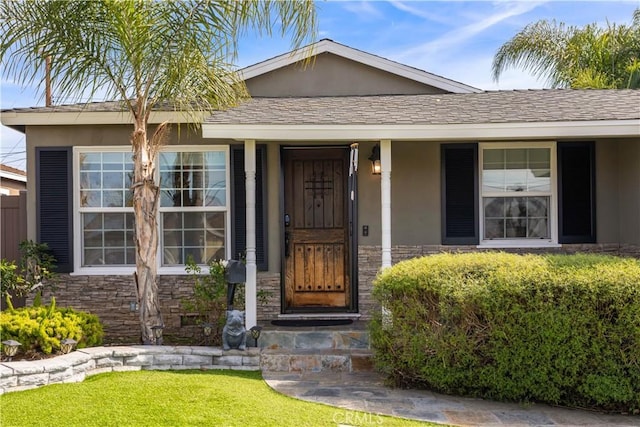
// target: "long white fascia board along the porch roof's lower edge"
[[426, 132]]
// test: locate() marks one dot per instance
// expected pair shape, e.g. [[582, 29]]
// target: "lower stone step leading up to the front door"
[[308, 360]]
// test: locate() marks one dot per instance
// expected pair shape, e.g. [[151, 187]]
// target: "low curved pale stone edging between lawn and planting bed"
[[77, 365]]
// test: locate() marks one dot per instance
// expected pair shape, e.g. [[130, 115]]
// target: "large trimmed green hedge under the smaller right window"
[[561, 329]]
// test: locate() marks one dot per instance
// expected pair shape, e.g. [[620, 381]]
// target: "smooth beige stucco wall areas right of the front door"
[[415, 193]]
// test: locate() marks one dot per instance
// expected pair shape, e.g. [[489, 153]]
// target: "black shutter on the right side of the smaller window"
[[576, 192]]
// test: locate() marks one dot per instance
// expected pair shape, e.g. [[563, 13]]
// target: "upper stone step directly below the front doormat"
[[305, 339]]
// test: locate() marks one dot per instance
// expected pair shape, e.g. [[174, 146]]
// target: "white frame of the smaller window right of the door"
[[553, 195]]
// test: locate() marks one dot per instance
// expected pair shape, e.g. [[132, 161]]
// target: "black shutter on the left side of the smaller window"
[[459, 193]]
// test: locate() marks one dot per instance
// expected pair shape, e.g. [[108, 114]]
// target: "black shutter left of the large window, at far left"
[[54, 198]]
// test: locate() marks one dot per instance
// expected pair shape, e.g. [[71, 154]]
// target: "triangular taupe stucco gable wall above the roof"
[[331, 75]]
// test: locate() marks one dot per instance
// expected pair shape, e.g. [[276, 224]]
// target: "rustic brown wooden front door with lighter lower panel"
[[316, 229]]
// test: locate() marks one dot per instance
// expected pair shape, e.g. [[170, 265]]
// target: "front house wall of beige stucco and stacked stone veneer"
[[415, 222]]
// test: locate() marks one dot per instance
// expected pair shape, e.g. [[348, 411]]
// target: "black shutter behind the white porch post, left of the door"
[[238, 206]]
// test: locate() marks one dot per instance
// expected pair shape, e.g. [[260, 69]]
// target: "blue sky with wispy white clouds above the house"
[[454, 39]]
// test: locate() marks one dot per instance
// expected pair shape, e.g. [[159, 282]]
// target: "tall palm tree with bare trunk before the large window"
[[143, 53]]
